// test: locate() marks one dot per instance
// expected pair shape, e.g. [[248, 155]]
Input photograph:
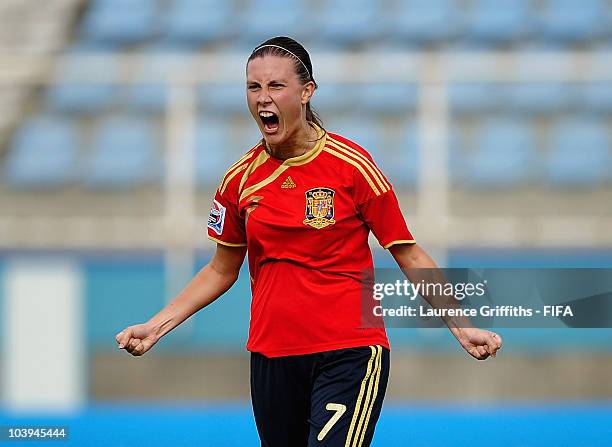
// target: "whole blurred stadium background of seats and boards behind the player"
[[118, 118]]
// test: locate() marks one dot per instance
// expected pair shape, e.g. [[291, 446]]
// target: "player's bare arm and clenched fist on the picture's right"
[[479, 343]]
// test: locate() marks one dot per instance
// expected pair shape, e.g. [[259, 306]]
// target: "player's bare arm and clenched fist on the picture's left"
[[206, 286]]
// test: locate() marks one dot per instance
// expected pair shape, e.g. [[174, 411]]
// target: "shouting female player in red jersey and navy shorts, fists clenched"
[[303, 202]]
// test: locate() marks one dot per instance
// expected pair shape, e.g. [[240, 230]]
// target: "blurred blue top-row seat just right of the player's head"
[[349, 22]]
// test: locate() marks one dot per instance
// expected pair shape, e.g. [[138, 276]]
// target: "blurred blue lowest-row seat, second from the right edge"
[[504, 155]]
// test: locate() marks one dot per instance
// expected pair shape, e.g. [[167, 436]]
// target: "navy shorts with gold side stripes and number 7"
[[326, 399]]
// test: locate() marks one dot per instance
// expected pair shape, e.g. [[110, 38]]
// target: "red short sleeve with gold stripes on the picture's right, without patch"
[[378, 207]]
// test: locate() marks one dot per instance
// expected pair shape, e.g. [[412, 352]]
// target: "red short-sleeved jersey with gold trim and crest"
[[305, 222]]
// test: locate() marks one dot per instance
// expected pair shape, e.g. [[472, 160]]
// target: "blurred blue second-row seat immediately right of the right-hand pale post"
[[473, 97]]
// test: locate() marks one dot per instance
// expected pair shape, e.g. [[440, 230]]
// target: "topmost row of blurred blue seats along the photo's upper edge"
[[190, 23]]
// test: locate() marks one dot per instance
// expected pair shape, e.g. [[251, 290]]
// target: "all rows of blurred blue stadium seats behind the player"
[[168, 28]]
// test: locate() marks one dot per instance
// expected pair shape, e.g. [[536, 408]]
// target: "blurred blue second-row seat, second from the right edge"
[[539, 97]]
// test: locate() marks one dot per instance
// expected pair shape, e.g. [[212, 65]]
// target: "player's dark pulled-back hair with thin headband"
[[287, 47]]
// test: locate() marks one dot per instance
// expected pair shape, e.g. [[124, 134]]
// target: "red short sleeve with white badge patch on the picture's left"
[[225, 226]]
